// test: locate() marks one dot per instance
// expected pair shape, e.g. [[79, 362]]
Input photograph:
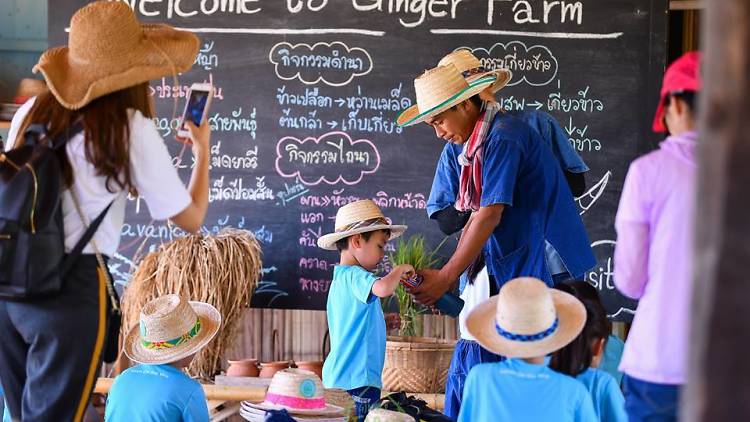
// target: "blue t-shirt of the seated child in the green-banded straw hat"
[[155, 393]]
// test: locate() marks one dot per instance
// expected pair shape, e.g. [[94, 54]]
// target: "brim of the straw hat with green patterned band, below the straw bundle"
[[210, 323]]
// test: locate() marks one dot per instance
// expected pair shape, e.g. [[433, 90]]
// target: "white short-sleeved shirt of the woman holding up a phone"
[[152, 173]]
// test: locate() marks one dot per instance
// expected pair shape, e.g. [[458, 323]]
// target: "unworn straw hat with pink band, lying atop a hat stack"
[[298, 391]]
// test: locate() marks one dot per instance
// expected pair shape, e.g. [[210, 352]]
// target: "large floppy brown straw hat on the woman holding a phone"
[[109, 50]]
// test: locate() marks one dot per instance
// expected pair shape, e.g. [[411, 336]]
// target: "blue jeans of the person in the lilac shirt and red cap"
[[650, 402]]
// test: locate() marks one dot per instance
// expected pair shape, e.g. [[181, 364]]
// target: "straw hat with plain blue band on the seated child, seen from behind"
[[527, 319]]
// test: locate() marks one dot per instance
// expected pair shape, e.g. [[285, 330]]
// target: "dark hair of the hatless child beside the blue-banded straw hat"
[[576, 357]]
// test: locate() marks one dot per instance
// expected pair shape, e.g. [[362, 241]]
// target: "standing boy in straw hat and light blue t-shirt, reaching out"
[[355, 318]]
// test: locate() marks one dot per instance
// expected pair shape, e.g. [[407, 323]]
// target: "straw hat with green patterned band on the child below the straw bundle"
[[171, 329]]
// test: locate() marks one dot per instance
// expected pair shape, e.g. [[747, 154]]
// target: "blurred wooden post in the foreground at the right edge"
[[719, 385]]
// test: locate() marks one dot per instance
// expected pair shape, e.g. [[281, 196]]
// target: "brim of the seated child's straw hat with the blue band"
[[570, 312]]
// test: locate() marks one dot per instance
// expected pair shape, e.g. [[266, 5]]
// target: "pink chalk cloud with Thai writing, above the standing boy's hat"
[[332, 158]]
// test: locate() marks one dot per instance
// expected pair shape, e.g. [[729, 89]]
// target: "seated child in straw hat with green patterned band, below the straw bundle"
[[171, 331]]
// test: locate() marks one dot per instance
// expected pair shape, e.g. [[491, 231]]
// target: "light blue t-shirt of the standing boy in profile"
[[357, 331]]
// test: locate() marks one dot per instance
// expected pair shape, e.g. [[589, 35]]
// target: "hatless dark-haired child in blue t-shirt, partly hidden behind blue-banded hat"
[[582, 356]]
